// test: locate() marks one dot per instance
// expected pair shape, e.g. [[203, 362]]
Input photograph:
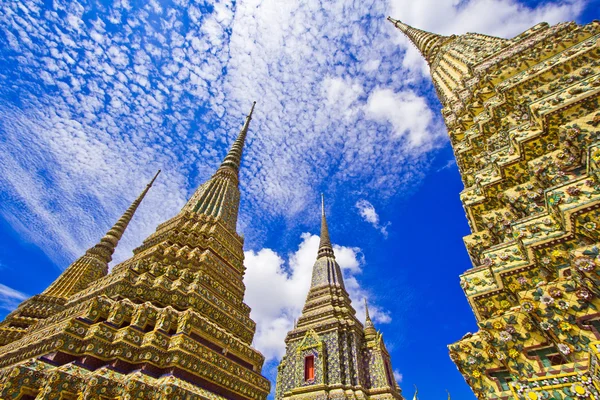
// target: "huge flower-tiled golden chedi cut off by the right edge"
[[523, 116]]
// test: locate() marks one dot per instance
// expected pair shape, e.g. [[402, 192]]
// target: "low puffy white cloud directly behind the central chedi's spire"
[[276, 290]]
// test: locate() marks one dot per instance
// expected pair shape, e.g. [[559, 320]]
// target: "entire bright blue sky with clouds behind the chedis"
[[95, 97]]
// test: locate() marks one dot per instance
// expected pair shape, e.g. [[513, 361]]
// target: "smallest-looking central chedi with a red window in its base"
[[329, 354]]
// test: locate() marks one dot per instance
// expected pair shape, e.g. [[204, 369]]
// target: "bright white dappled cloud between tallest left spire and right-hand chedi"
[[313, 72]]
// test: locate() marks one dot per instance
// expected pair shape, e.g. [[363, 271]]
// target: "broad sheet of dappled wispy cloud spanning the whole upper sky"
[[97, 97]]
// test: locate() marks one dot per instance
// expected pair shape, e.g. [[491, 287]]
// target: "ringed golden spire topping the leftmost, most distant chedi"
[[94, 263]]
